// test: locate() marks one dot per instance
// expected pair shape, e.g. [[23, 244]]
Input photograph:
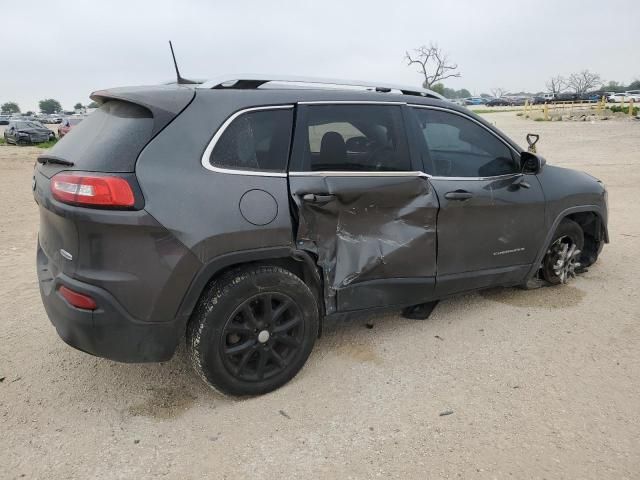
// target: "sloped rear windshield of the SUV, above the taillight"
[[108, 140]]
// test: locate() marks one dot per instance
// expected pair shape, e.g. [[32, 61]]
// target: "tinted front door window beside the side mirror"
[[458, 147]]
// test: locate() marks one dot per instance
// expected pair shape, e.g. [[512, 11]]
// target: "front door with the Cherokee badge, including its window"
[[491, 218]]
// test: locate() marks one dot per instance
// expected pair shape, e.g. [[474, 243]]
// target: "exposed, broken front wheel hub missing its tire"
[[566, 245]]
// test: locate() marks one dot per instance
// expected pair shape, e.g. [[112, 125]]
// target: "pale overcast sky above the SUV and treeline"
[[66, 49]]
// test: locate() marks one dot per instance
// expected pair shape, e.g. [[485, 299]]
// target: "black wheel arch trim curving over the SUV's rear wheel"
[[298, 262]]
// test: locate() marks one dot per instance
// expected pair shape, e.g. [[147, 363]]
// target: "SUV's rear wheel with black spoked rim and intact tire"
[[236, 346]]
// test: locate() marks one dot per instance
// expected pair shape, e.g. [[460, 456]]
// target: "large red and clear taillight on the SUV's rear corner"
[[82, 189]]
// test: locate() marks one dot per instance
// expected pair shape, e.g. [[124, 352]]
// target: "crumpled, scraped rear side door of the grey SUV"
[[373, 233]]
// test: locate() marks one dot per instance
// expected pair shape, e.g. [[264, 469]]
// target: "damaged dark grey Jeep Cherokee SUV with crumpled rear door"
[[243, 213]]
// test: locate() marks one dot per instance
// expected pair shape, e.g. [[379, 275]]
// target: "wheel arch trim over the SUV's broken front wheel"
[[591, 218]]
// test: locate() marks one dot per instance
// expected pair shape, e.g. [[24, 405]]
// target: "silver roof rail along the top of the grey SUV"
[[253, 81]]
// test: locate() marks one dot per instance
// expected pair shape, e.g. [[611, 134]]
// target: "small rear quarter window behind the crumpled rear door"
[[255, 140]]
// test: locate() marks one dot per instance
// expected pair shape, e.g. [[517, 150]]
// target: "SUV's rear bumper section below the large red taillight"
[[134, 269]]
